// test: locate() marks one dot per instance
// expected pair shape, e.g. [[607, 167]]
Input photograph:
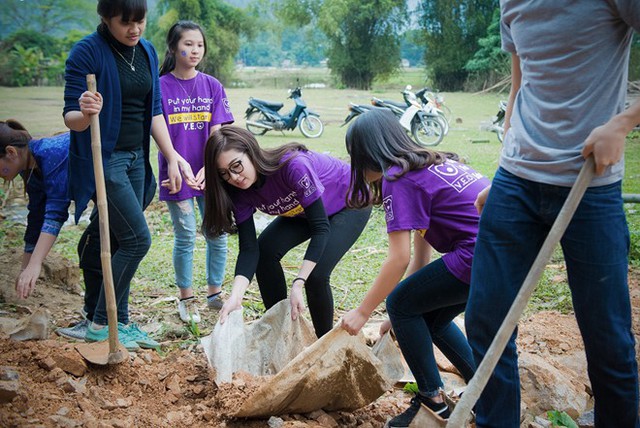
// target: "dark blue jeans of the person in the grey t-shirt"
[[516, 220]]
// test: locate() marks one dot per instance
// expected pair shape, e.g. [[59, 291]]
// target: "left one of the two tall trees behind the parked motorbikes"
[[363, 41]]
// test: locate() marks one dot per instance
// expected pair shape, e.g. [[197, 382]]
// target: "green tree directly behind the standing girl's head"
[[223, 24]]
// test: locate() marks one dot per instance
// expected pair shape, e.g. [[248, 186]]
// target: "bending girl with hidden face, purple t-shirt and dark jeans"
[[430, 195]]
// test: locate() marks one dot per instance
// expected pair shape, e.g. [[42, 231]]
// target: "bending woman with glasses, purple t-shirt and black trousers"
[[306, 191]]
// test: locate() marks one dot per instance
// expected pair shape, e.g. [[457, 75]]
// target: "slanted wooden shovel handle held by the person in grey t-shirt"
[[471, 394]]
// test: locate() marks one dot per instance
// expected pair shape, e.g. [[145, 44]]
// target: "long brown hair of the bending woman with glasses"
[[218, 217]]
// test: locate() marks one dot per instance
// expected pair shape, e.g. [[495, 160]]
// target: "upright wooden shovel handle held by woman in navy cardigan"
[[103, 217]]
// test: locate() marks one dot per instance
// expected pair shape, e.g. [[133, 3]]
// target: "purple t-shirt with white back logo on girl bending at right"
[[437, 202]]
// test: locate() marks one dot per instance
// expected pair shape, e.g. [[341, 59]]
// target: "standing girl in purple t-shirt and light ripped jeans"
[[194, 105]]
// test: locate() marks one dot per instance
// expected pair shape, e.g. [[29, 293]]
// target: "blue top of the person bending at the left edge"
[[47, 188]]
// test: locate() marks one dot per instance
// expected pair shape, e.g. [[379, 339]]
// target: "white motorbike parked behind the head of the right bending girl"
[[425, 127]]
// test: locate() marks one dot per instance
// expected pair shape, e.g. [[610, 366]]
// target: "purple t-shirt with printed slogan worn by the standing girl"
[[191, 107]]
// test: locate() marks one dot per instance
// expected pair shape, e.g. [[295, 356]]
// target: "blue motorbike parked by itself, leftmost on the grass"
[[262, 116]]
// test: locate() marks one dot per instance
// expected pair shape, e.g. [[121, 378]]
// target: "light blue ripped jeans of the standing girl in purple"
[[183, 216]]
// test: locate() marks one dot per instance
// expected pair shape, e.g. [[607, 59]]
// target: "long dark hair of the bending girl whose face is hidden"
[[375, 142]]
